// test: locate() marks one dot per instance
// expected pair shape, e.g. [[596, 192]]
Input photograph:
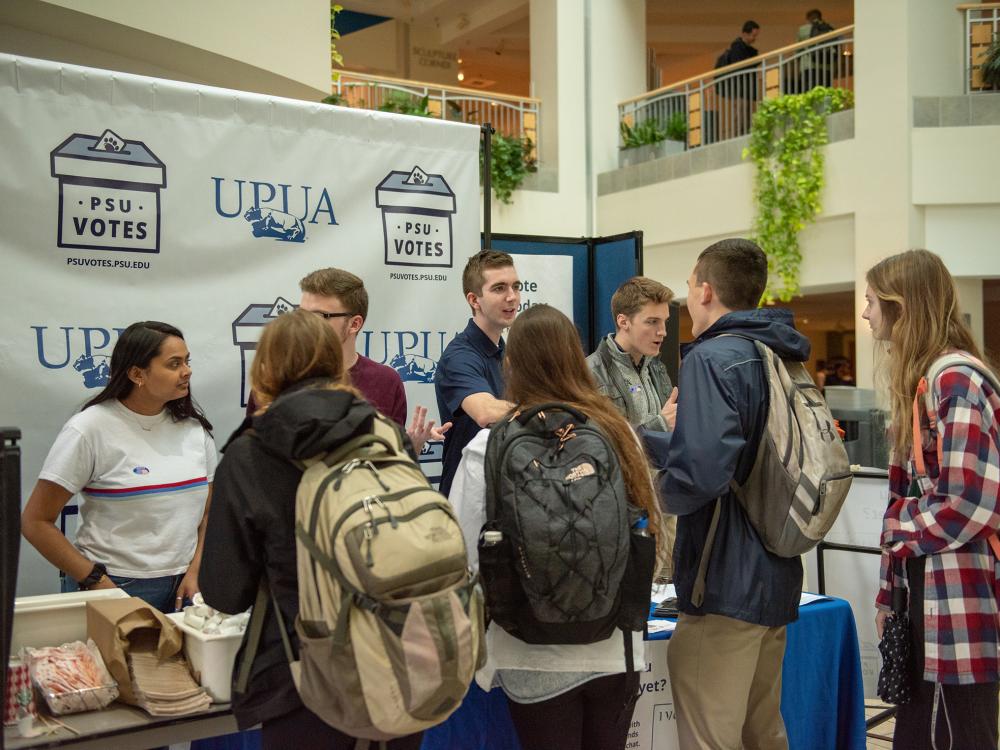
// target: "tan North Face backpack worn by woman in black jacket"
[[390, 621]]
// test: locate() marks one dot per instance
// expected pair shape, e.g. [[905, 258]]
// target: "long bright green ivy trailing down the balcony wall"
[[786, 146]]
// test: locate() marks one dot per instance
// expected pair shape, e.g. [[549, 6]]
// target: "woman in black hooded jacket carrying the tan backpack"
[[298, 375]]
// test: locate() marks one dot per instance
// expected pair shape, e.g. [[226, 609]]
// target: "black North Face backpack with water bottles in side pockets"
[[566, 567]]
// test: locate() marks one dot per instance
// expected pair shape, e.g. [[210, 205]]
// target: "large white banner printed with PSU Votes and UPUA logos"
[[127, 198]]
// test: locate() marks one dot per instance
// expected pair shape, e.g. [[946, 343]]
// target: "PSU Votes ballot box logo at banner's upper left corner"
[[109, 193]]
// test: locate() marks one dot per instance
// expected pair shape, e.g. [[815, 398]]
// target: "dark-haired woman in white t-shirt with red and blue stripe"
[[141, 457]]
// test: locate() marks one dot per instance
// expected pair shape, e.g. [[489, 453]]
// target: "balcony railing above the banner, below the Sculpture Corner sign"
[[509, 115]]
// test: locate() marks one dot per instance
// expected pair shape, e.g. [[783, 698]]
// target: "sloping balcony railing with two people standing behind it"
[[718, 105]]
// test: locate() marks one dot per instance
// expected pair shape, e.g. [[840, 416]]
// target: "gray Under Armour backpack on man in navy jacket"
[[801, 475]]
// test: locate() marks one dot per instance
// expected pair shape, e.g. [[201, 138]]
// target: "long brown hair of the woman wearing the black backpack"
[[545, 363]]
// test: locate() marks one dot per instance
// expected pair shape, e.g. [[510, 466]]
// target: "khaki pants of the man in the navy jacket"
[[725, 675]]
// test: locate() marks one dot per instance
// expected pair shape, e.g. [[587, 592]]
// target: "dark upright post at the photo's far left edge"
[[10, 528]]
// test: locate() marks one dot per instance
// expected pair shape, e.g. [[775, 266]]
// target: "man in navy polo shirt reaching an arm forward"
[[469, 379]]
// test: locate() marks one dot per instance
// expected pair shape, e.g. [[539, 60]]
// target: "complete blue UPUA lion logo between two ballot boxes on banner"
[[273, 210]]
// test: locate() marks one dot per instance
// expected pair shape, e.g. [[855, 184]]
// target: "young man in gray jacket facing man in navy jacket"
[[628, 369]]
